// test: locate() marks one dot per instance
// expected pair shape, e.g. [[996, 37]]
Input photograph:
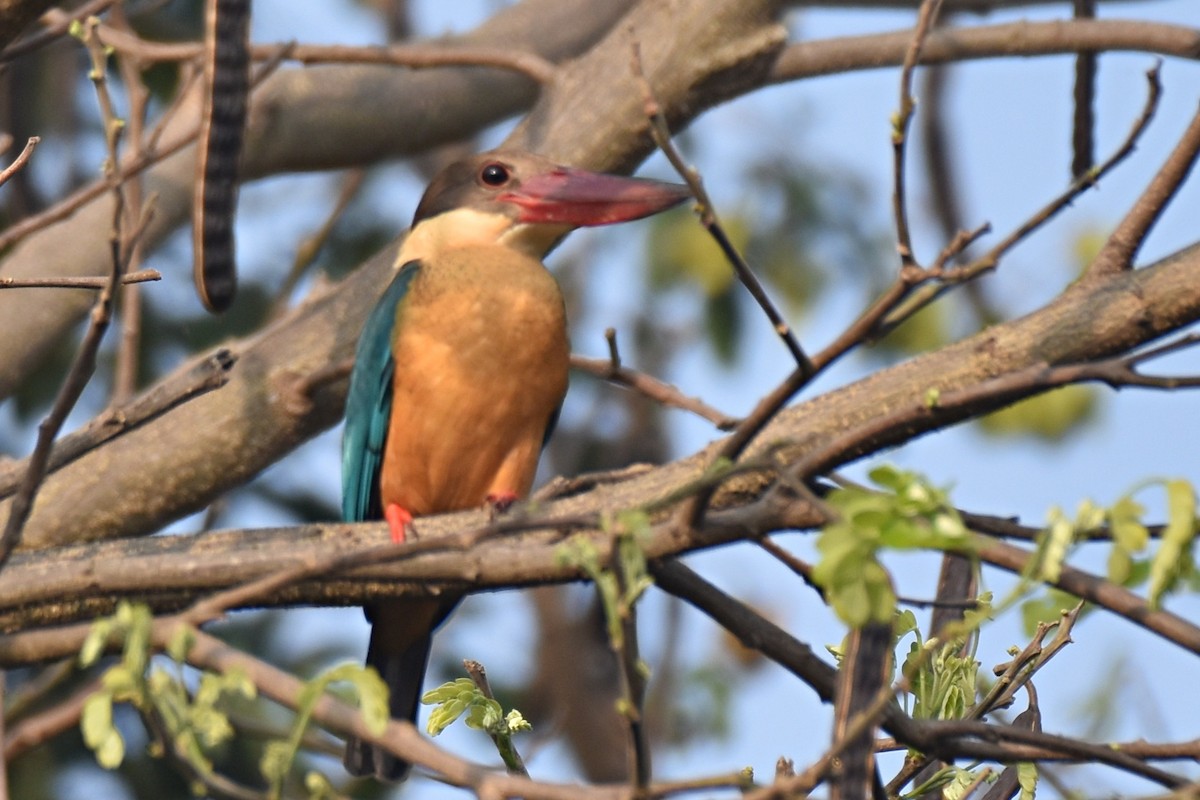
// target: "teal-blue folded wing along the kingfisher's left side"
[[369, 405]]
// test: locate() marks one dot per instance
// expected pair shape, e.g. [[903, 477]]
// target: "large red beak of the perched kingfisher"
[[578, 197]]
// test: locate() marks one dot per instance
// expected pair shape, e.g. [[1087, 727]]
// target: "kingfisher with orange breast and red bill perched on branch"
[[461, 370]]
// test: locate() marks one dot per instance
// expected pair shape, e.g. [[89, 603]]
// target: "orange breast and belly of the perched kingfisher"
[[482, 362]]
